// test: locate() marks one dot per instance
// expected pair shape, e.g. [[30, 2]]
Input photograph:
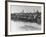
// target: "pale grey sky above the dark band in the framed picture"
[[18, 9]]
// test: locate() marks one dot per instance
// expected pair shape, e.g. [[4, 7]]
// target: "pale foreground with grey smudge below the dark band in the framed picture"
[[24, 26]]
